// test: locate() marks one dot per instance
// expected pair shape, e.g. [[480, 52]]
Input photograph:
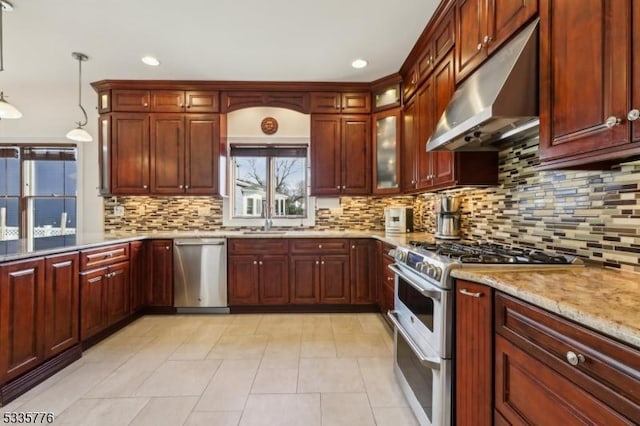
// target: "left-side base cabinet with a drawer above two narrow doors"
[[104, 288]]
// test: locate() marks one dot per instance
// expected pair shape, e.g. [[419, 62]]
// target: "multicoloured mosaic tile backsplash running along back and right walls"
[[591, 214]]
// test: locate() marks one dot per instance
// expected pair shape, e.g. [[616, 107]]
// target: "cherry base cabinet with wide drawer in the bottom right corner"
[[576, 374]]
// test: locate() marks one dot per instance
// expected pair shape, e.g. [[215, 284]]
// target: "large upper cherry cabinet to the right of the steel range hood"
[[588, 111]]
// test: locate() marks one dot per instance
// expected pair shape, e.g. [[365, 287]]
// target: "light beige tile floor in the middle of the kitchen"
[[272, 369]]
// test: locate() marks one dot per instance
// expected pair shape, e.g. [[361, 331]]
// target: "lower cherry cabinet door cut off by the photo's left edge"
[[21, 317]]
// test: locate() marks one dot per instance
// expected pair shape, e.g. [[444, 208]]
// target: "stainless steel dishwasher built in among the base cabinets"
[[200, 277]]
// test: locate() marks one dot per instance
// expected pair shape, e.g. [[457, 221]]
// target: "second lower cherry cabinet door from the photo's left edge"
[[62, 303]]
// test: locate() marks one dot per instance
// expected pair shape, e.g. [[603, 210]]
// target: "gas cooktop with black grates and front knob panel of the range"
[[434, 261]]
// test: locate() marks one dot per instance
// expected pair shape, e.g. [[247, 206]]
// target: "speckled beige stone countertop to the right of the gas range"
[[604, 300]]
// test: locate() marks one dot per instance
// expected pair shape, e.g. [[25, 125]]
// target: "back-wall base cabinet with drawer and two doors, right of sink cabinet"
[[319, 271]]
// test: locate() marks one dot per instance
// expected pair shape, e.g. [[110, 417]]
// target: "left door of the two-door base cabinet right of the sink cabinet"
[[304, 276]]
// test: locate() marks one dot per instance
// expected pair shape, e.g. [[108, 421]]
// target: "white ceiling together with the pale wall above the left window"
[[252, 40]]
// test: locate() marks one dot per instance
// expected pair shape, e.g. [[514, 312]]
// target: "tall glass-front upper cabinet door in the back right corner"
[[386, 143]]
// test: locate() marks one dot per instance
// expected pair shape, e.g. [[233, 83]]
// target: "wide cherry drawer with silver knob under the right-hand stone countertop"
[[608, 369]]
